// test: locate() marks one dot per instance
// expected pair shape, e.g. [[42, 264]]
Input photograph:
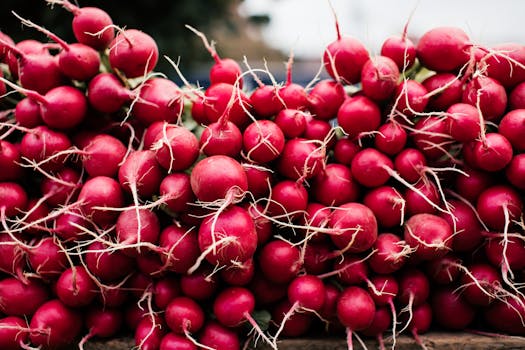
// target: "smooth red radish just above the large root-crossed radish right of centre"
[[335, 185]]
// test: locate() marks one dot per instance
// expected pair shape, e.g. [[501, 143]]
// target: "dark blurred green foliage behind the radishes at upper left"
[[164, 20]]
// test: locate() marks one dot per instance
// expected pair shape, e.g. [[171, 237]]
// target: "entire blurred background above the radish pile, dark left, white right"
[[269, 30]]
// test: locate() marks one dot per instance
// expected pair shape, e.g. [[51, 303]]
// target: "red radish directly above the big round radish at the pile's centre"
[[221, 137]]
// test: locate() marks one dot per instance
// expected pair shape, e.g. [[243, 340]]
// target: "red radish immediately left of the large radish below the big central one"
[[180, 247]]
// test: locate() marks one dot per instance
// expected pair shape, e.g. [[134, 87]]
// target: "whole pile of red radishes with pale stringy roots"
[[384, 199]]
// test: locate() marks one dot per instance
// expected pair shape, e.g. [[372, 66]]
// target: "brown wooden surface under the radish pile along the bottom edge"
[[433, 341]]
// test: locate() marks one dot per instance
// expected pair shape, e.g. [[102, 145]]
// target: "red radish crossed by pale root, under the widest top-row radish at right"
[[444, 89]]
